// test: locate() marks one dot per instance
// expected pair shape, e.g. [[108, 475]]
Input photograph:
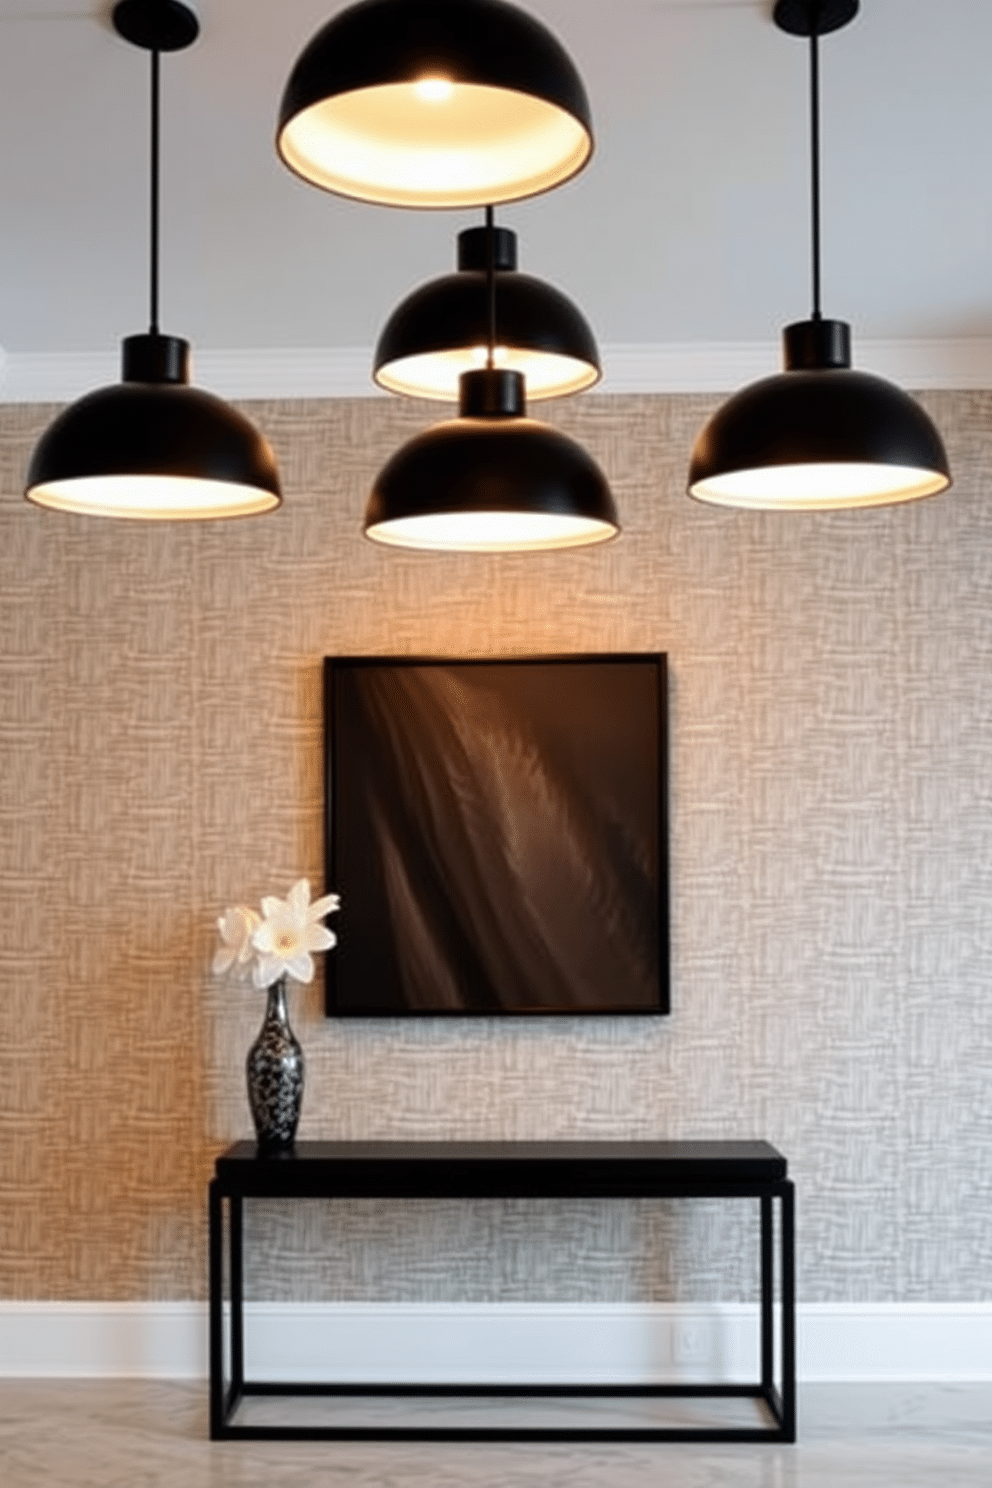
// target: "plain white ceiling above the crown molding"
[[691, 225]]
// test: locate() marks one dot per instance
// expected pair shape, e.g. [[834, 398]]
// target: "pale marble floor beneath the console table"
[[142, 1435]]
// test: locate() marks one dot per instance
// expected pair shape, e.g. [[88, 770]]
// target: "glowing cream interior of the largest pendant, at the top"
[[486, 147]]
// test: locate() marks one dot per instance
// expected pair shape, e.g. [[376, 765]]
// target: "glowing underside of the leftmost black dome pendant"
[[154, 498]]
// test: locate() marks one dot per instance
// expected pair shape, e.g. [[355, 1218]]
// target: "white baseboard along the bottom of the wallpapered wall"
[[499, 1343]]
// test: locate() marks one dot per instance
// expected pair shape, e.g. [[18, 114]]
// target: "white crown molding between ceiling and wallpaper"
[[346, 371]]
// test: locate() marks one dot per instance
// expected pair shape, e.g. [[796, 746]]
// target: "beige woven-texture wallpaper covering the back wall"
[[832, 877]]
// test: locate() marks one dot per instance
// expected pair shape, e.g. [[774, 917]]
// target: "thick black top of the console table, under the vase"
[[502, 1169]]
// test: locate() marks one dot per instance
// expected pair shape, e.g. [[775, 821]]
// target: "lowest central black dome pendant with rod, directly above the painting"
[[492, 480]]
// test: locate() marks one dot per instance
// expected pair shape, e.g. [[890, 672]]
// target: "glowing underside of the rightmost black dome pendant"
[[820, 487]]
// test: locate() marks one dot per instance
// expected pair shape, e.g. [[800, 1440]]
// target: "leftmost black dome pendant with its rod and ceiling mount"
[[152, 447]]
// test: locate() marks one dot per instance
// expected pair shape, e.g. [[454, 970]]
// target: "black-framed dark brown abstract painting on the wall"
[[497, 830]]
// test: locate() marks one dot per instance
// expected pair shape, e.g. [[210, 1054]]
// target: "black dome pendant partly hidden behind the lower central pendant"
[[441, 331]]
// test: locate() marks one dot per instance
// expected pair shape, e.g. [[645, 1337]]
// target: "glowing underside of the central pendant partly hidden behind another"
[[435, 374]]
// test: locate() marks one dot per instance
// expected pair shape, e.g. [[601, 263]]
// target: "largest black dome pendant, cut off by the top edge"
[[435, 103]]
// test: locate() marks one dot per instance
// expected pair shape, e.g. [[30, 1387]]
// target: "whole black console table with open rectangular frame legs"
[[444, 1170]]
